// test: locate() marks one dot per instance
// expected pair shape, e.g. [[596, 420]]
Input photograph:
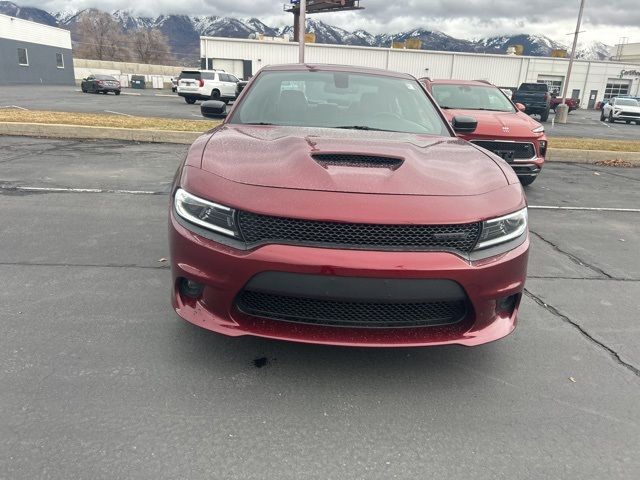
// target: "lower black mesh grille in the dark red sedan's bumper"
[[342, 313]]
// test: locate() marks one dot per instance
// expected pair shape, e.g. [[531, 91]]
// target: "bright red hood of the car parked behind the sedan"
[[498, 124]]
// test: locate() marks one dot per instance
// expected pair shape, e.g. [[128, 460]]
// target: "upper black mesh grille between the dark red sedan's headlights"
[[262, 229]]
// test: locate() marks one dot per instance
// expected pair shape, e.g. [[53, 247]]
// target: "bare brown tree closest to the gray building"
[[100, 37]]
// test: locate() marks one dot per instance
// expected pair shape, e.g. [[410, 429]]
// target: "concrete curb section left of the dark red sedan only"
[[96, 133]]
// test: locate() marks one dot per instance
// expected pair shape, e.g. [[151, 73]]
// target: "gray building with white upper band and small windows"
[[32, 53]]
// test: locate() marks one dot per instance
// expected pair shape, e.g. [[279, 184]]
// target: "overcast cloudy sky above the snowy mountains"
[[605, 20]]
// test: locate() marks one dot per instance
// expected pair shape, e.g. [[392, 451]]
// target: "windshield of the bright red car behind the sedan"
[[472, 97]]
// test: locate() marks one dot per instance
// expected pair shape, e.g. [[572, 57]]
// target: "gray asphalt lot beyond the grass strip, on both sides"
[[163, 103]]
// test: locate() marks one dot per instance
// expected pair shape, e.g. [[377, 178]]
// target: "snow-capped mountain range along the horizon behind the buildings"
[[183, 33]]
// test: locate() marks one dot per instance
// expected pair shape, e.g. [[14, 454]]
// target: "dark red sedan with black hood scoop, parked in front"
[[335, 205]]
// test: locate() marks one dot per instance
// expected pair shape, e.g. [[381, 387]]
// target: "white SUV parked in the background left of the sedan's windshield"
[[206, 85]]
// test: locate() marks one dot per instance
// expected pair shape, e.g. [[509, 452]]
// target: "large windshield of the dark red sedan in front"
[[328, 99]]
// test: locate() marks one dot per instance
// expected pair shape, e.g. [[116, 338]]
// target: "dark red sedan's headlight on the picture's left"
[[206, 214]]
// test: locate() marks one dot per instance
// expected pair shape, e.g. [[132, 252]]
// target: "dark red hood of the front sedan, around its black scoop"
[[281, 157]]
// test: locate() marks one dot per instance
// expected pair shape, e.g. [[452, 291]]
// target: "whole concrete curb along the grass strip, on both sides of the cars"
[[186, 138]]
